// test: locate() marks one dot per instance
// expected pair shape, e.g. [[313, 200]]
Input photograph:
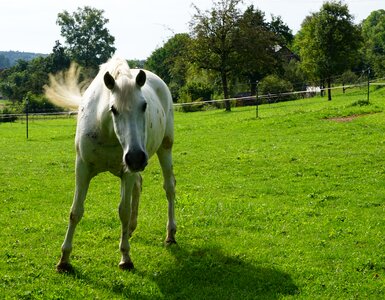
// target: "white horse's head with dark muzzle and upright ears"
[[128, 109]]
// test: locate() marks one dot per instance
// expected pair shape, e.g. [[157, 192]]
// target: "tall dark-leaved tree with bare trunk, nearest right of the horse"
[[213, 34]]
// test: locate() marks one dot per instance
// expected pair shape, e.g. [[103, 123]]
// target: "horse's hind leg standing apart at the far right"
[[165, 159]]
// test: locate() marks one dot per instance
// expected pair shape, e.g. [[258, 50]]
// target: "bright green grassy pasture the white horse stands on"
[[289, 205]]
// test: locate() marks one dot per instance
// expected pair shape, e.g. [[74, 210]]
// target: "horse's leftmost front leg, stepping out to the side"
[[83, 178]]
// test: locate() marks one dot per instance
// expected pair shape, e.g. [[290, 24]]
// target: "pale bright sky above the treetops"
[[139, 26]]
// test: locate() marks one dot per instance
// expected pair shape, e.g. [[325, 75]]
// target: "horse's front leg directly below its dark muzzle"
[[125, 208]]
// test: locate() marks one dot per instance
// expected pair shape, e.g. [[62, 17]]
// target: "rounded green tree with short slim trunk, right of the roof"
[[328, 42]]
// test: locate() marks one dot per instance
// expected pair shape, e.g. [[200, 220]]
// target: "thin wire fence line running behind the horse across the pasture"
[[238, 101]]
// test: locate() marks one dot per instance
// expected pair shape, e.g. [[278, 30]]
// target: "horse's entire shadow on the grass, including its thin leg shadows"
[[201, 273]]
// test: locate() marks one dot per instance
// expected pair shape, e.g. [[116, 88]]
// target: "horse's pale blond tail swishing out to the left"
[[64, 89]]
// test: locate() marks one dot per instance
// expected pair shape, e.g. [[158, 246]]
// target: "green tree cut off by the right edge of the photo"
[[373, 32]]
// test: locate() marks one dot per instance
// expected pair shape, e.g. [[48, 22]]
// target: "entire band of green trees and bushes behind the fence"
[[225, 50]]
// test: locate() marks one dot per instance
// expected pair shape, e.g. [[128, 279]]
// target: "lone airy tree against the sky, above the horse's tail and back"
[[89, 41]]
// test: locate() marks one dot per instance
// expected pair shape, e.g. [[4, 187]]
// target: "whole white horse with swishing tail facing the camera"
[[125, 116]]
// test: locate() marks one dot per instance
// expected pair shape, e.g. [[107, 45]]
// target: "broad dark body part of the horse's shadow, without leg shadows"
[[209, 274]]
